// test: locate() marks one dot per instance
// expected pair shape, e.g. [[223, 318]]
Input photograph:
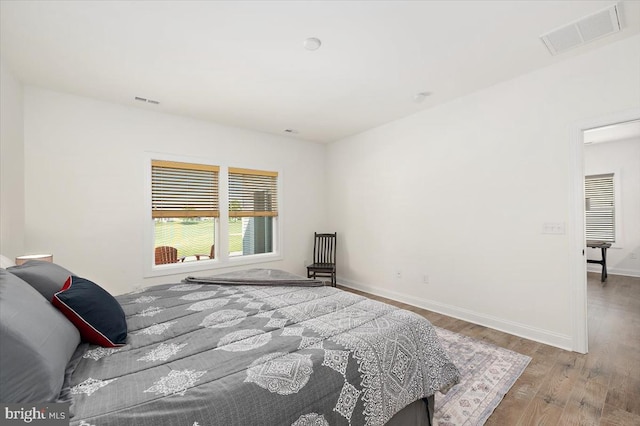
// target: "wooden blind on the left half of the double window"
[[184, 190]]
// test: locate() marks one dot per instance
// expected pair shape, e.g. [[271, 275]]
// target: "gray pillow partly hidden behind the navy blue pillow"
[[46, 277]]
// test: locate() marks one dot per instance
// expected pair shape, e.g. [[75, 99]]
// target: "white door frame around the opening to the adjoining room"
[[578, 272]]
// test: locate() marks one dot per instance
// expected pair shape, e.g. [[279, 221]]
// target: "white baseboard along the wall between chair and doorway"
[[558, 340]]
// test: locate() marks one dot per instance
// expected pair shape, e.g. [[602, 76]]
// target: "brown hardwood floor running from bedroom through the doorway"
[[566, 388]]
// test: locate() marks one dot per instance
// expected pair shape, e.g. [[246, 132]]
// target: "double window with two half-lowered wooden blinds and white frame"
[[208, 216]]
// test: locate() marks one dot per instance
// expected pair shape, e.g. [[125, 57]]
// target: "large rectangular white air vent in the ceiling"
[[589, 28]]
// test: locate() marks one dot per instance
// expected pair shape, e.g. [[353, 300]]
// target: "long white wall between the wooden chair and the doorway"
[[460, 193]]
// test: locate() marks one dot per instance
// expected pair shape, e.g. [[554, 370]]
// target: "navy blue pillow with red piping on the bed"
[[95, 313]]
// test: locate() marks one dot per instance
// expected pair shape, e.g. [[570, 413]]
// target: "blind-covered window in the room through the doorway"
[[600, 207]]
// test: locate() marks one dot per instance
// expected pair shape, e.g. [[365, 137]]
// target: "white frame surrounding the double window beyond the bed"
[[222, 259]]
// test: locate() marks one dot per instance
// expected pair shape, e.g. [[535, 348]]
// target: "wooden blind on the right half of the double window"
[[252, 193]]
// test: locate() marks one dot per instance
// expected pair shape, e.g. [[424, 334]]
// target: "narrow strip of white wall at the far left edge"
[[11, 165]]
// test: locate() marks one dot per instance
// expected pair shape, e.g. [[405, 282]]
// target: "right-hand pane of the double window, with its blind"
[[253, 211]]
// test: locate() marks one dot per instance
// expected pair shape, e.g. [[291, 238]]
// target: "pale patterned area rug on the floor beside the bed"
[[487, 373]]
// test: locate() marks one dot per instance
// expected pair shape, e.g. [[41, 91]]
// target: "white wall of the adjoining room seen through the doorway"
[[623, 159]]
